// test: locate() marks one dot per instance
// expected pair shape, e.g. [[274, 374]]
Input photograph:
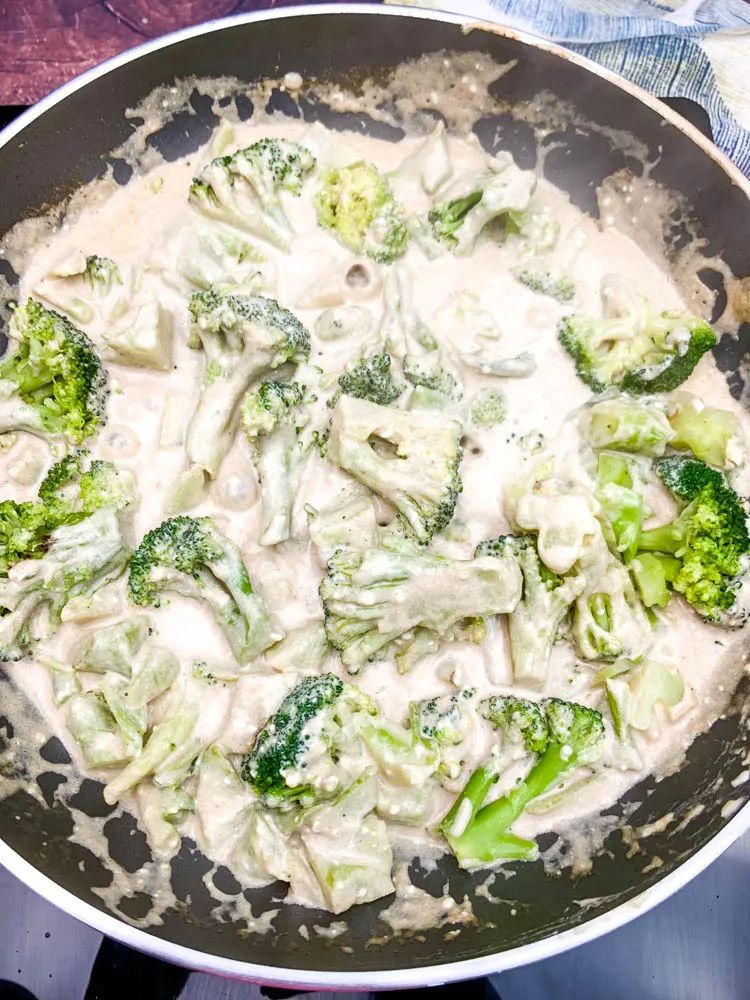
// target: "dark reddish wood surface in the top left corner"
[[43, 43]]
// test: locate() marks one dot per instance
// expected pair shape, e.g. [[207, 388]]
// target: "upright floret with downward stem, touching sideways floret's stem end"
[[545, 600]]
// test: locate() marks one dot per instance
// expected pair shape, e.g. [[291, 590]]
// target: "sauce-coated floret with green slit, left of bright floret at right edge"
[[609, 620]]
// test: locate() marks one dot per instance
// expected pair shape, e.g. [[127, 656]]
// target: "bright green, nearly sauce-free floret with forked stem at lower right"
[[478, 834]]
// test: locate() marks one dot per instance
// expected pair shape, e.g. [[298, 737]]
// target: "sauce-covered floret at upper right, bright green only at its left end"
[[472, 202]]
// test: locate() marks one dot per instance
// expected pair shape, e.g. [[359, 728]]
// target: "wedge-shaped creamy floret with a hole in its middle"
[[409, 457]]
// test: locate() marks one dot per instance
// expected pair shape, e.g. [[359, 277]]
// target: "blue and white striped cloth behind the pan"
[[698, 49]]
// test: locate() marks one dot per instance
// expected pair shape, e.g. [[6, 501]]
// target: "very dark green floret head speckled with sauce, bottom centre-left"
[[295, 752]]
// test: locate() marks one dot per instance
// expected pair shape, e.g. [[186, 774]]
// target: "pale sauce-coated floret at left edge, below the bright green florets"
[[78, 559]]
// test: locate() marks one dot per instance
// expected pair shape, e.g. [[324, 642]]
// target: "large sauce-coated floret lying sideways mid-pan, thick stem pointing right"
[[373, 596]]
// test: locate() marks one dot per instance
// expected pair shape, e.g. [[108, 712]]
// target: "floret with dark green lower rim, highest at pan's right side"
[[638, 353]]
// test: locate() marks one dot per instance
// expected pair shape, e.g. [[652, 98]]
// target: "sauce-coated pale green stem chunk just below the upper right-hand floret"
[[627, 425]]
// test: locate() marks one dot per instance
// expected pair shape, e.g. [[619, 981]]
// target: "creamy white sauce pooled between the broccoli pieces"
[[144, 227]]
